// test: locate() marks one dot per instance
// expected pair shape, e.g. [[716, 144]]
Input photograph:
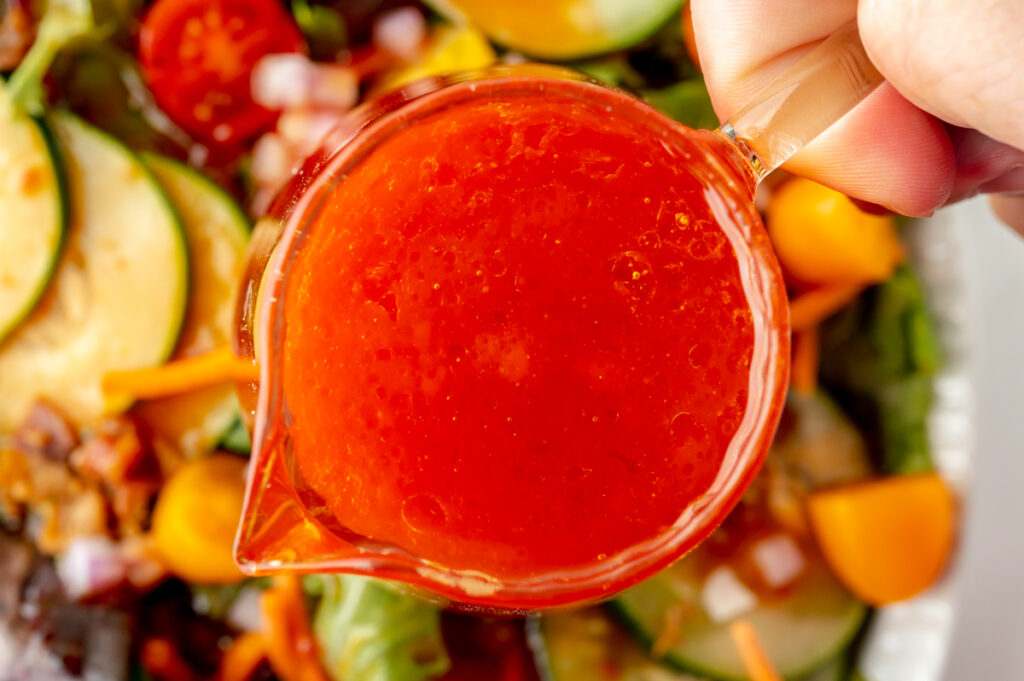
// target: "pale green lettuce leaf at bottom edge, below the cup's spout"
[[370, 632]]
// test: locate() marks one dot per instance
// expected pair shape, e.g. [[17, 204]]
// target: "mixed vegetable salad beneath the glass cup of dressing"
[[140, 142]]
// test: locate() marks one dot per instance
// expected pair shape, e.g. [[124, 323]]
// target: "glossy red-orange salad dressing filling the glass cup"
[[518, 340]]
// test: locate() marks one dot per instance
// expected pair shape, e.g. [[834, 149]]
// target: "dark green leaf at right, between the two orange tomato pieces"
[[879, 360]]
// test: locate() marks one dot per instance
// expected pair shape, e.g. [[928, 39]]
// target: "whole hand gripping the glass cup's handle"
[[949, 123]]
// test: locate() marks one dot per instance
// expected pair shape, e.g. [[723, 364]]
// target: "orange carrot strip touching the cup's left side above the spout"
[[219, 366]]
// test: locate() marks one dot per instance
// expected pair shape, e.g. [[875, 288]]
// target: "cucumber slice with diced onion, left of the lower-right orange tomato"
[[801, 632]]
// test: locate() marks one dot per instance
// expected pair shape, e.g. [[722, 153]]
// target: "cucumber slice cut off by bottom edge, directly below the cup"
[[590, 646]]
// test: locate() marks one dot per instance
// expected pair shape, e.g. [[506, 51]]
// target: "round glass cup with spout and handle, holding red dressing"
[[296, 516]]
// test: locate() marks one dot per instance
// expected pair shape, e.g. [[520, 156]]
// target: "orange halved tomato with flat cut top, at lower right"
[[887, 540]]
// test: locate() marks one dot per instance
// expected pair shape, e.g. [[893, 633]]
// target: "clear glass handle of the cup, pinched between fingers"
[[805, 101]]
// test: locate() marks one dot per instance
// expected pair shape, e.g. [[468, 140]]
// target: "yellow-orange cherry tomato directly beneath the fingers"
[[823, 238]]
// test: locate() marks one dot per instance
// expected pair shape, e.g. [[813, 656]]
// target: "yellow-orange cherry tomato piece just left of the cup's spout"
[[195, 520]]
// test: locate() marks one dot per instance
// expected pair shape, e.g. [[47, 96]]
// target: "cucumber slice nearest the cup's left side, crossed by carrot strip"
[[218, 234]]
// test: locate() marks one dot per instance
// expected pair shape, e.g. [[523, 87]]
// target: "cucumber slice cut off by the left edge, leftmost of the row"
[[33, 203]]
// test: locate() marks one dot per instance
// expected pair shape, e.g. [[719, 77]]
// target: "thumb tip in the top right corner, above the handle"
[[962, 62]]
